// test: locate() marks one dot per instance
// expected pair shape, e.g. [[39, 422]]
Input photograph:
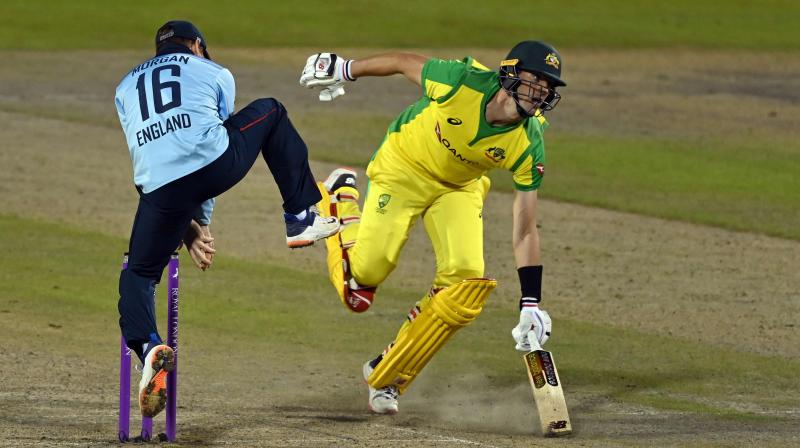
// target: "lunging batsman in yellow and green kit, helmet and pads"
[[432, 165]]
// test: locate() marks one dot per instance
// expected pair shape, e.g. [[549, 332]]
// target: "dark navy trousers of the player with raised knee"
[[163, 215]]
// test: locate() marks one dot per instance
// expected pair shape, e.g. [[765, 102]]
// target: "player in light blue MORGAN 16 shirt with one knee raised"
[[188, 146]]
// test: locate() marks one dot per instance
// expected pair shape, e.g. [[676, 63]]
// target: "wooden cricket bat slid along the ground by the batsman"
[[547, 391]]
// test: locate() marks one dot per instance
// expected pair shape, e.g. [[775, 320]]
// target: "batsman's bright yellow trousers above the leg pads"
[[452, 217]]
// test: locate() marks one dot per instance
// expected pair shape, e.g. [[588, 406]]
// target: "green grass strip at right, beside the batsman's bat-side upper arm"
[[742, 185]]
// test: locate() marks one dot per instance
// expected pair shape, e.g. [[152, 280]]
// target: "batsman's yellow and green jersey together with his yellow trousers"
[[431, 165]]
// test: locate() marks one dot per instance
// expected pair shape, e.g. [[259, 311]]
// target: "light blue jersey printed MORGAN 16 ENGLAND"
[[171, 108]]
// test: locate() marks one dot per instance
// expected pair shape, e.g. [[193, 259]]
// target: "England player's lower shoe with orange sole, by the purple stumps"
[[159, 361]]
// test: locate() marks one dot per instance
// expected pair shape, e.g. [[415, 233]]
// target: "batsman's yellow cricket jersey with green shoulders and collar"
[[445, 135]]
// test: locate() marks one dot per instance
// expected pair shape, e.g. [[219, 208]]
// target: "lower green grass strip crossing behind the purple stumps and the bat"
[[60, 290]]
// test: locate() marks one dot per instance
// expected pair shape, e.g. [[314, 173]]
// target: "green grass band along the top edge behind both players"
[[763, 25]]
